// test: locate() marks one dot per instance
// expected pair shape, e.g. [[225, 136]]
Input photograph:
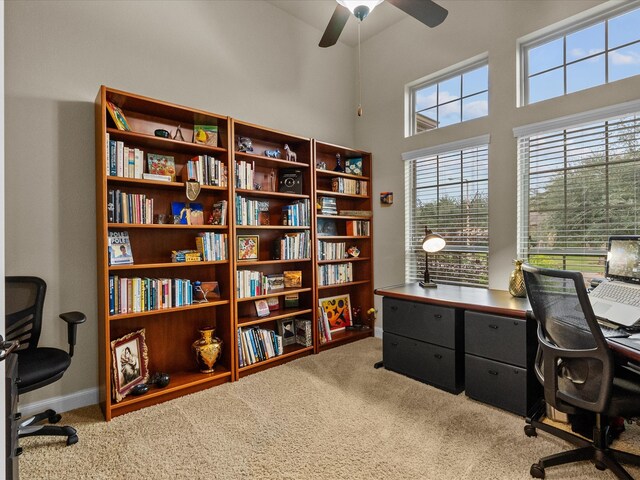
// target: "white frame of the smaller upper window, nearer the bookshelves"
[[457, 70]]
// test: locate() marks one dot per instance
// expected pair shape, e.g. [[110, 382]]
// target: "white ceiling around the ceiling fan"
[[318, 12]]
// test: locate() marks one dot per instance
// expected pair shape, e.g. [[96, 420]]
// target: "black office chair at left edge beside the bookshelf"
[[37, 366]]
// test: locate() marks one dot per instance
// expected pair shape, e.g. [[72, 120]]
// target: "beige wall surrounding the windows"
[[408, 51]]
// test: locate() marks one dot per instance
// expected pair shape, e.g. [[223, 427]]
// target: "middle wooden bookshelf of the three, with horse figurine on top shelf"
[[266, 161]]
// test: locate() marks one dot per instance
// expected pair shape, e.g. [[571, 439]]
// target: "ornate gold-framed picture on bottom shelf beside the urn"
[[129, 363]]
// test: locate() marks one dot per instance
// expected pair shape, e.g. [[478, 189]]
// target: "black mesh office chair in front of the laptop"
[[577, 369]]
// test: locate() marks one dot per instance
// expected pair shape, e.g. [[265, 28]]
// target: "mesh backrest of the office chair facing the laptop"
[[577, 365]]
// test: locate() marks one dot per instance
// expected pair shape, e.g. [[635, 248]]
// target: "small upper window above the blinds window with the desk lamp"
[[448, 98]]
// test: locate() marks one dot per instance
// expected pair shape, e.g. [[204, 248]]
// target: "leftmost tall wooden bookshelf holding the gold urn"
[[170, 332]]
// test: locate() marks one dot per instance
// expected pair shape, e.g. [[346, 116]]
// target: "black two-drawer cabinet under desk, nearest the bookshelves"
[[420, 341]]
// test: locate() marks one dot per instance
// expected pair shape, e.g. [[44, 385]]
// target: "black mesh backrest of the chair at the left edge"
[[24, 301]]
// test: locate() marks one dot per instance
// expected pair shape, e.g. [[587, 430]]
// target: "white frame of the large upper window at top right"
[[587, 19]]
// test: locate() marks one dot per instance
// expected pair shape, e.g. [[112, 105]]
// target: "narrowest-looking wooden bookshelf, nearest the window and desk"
[[340, 274]]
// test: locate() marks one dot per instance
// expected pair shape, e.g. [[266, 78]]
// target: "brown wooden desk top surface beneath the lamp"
[[499, 302]]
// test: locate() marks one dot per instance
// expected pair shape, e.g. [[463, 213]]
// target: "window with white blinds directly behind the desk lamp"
[[446, 189]]
